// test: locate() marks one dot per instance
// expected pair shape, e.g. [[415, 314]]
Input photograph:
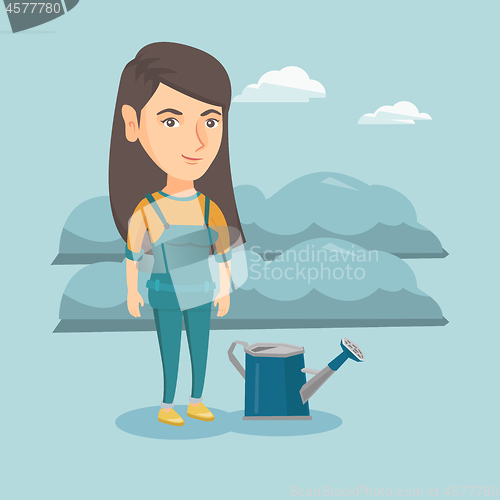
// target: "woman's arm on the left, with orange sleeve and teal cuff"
[[133, 252]]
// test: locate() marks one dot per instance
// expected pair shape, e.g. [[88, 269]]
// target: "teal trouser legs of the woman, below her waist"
[[169, 329]]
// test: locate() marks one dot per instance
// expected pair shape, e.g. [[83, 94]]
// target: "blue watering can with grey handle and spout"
[[275, 378]]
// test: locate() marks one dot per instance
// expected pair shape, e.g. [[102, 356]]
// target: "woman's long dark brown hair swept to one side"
[[132, 173]]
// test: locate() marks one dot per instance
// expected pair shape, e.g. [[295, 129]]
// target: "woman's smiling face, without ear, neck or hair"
[[181, 134]]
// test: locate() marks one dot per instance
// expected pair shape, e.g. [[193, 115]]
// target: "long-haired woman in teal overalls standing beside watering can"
[[170, 180]]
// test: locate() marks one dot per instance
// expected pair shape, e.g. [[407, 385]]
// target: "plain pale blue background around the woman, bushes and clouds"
[[421, 412]]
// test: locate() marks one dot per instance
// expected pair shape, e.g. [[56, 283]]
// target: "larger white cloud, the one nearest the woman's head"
[[291, 84]]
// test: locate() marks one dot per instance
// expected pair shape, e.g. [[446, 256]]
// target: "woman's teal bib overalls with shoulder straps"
[[181, 274]]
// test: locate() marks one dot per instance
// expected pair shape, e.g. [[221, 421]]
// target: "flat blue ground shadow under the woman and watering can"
[[144, 422]]
